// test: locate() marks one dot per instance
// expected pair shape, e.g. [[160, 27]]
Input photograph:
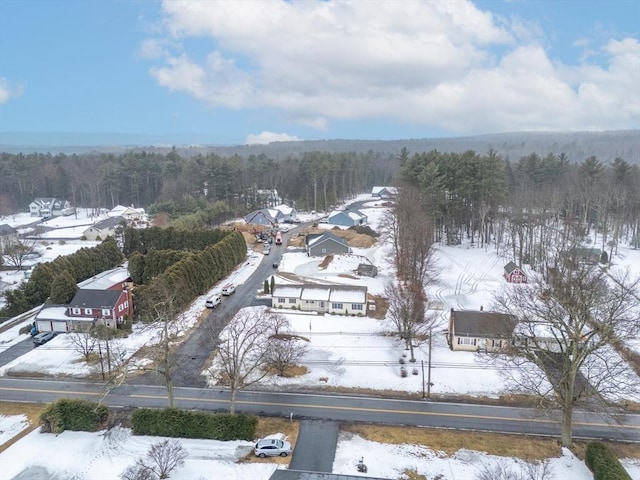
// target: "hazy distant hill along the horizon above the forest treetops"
[[576, 145]]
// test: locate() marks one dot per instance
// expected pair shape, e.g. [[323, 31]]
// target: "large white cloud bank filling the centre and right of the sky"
[[426, 63]]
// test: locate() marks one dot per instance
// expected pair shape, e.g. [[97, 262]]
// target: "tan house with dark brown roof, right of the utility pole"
[[477, 330]]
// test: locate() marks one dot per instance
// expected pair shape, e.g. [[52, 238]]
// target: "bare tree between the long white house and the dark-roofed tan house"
[[408, 314]]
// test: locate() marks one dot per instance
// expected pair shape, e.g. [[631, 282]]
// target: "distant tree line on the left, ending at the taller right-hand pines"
[[181, 185]]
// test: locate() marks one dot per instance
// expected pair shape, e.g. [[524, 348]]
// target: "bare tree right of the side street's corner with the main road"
[[242, 355]]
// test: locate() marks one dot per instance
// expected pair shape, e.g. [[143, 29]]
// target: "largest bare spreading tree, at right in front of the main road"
[[563, 347]]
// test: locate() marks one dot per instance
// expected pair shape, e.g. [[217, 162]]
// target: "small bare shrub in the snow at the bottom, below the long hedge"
[[162, 458]]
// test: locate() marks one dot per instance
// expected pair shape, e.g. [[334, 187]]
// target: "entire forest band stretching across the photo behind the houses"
[[523, 204]]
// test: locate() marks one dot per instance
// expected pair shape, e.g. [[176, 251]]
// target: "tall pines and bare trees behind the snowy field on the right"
[[526, 205]]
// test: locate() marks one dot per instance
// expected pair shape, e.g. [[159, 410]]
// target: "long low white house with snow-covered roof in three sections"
[[336, 299]]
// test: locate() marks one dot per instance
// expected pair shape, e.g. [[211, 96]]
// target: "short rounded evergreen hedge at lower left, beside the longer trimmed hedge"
[[78, 415]]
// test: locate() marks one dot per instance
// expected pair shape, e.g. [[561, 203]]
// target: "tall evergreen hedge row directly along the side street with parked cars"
[[192, 275]]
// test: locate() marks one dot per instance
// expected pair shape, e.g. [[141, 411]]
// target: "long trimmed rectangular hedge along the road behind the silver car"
[[172, 422]]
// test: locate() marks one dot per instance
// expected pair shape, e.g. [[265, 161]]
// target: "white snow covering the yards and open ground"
[[347, 351]]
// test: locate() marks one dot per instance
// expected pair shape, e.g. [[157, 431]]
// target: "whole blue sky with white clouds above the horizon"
[[239, 72]]
